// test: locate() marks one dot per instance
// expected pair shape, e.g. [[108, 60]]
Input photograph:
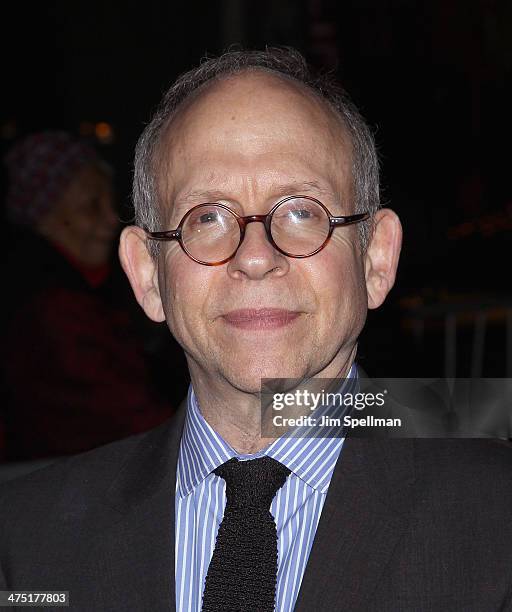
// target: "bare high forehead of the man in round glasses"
[[255, 132]]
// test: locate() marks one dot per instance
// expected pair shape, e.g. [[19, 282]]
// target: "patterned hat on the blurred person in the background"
[[40, 167]]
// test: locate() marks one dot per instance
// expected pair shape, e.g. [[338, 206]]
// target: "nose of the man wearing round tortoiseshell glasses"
[[256, 258]]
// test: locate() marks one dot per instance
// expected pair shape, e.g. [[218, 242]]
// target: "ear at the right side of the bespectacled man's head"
[[382, 256]]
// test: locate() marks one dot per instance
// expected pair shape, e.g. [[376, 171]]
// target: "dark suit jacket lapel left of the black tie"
[[132, 561]]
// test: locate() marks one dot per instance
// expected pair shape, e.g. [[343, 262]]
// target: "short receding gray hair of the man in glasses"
[[286, 63]]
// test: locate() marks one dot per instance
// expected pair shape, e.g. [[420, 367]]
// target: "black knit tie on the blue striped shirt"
[[243, 570]]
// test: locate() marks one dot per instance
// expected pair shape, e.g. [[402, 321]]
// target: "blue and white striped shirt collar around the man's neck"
[[202, 450]]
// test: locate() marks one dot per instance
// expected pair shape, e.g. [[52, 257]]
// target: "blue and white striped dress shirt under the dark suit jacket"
[[201, 499]]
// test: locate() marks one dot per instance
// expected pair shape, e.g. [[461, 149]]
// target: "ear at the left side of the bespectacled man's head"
[[141, 270]]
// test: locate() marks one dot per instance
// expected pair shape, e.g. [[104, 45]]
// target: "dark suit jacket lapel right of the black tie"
[[363, 517]]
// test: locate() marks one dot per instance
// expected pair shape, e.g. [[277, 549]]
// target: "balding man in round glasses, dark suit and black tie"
[[179, 518]]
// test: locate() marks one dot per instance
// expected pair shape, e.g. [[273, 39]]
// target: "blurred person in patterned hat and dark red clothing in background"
[[75, 370]]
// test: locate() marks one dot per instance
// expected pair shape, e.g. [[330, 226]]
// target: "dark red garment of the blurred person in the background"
[[76, 374]]
